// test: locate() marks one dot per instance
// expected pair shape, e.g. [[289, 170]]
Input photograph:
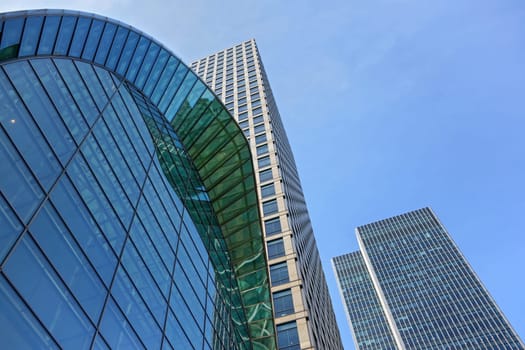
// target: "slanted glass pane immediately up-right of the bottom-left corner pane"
[[41, 288]]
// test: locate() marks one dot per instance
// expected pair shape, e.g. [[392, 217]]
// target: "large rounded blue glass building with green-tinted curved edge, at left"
[[128, 209]]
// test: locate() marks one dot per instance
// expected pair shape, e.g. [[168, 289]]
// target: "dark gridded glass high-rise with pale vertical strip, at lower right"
[[409, 287]]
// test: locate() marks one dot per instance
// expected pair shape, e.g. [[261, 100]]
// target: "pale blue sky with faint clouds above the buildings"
[[389, 105]]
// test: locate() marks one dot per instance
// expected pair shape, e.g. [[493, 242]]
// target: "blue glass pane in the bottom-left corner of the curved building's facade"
[[20, 328]]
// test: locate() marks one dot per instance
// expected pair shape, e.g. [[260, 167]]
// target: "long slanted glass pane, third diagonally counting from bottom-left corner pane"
[[64, 254]]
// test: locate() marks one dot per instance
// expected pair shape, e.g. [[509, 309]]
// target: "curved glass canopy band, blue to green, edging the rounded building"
[[209, 133]]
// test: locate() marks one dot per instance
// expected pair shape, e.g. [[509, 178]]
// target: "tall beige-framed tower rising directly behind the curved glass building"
[[303, 309]]
